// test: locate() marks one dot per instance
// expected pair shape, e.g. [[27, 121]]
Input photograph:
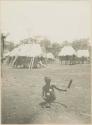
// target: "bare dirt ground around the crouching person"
[[21, 95]]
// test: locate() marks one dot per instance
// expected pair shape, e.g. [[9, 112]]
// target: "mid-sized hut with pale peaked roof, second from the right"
[[67, 55]]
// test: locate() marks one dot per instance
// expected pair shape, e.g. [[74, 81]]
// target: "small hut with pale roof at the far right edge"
[[83, 56]]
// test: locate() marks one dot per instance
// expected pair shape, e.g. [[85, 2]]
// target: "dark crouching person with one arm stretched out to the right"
[[48, 92]]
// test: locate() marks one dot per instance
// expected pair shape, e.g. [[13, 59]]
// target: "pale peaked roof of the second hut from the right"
[[67, 50]]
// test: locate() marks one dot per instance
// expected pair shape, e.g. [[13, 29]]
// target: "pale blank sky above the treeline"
[[56, 20]]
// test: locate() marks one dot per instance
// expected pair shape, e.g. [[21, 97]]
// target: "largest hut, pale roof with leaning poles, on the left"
[[26, 55]]
